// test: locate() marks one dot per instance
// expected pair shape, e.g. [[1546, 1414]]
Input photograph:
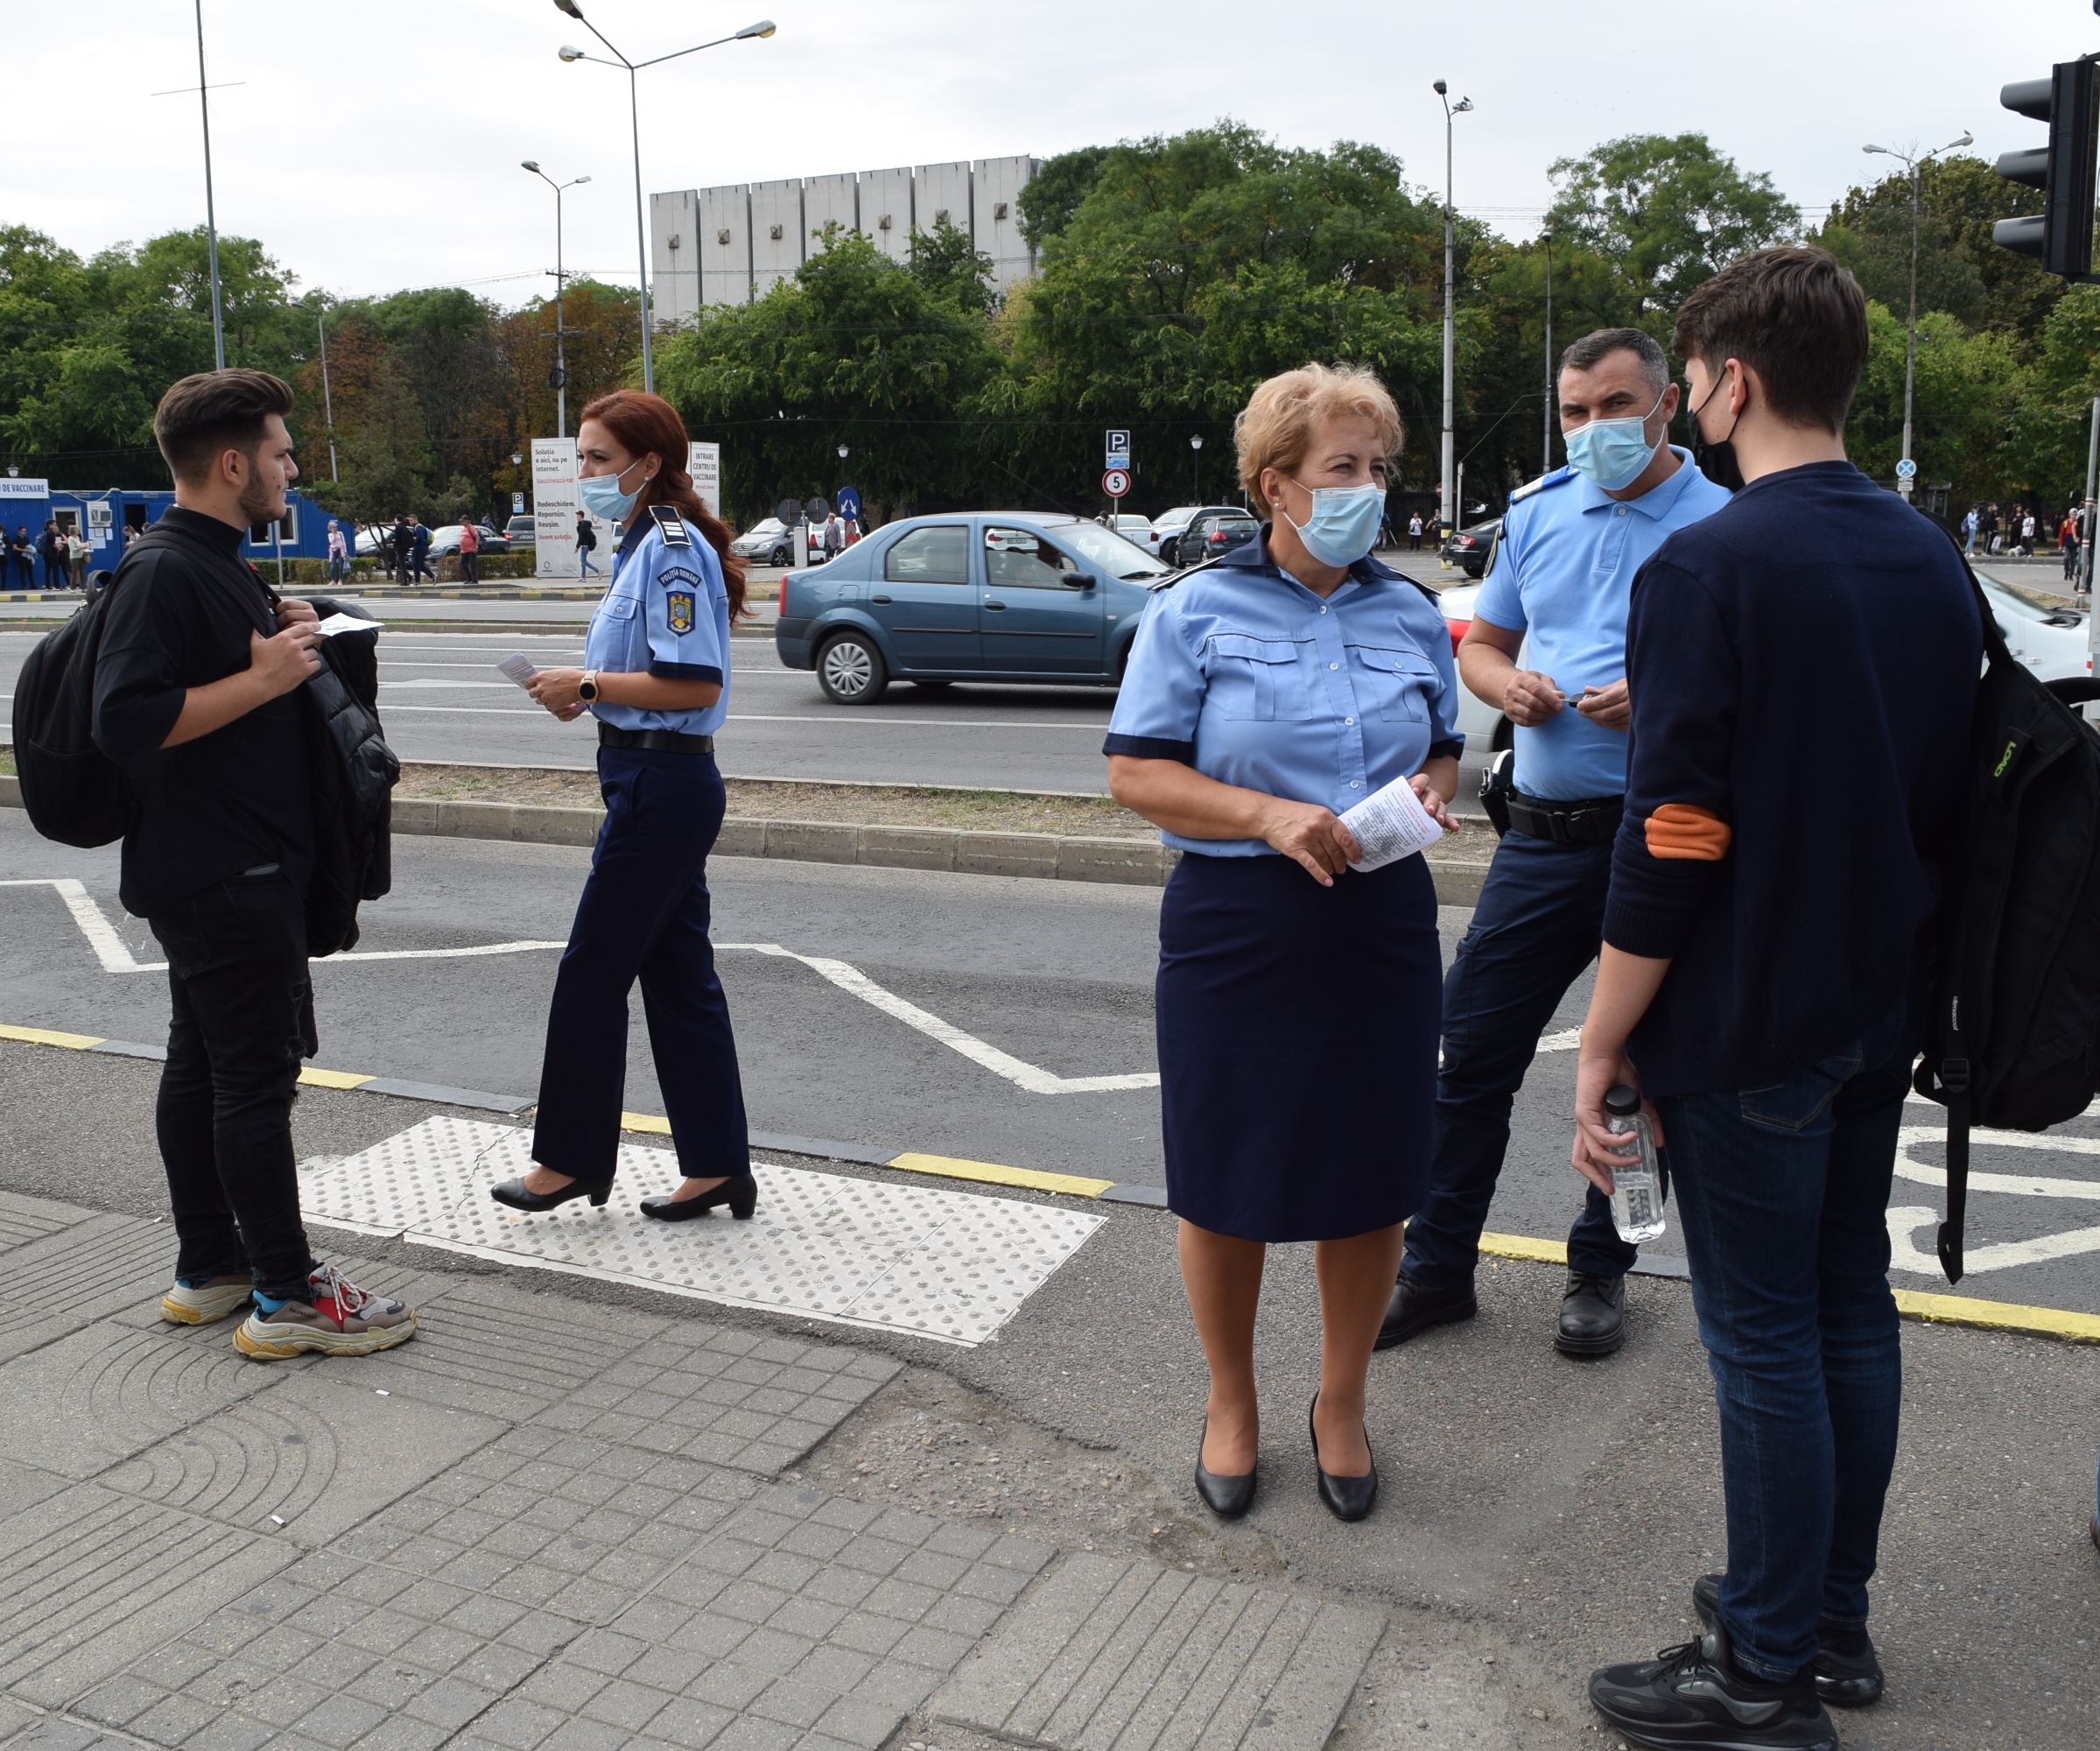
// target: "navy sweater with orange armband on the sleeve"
[[1803, 669]]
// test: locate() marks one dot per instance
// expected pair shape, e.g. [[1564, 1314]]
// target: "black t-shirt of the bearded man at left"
[[230, 801]]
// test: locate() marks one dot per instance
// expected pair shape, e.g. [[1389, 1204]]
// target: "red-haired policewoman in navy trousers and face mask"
[[656, 677]]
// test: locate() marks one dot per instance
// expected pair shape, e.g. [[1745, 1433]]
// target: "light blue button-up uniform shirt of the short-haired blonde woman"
[[1255, 681]]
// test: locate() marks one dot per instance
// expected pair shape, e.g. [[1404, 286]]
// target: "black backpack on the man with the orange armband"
[[2013, 1036]]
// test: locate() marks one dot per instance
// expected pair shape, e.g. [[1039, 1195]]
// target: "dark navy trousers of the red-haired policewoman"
[[644, 916]]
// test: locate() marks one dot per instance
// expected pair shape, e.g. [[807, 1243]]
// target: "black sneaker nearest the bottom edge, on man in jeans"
[[1698, 1697]]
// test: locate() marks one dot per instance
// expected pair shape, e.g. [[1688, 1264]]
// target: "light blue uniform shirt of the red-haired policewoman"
[[667, 614]]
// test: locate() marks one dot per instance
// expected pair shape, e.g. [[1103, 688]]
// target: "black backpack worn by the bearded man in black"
[[72, 790]]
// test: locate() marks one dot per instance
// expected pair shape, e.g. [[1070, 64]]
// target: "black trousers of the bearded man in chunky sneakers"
[[243, 1019]]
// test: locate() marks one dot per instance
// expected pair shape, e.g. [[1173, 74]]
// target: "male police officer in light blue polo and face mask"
[[1570, 549]]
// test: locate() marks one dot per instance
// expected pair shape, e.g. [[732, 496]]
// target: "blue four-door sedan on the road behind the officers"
[[969, 597]]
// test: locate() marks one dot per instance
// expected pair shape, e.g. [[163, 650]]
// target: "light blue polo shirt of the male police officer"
[[1561, 576]]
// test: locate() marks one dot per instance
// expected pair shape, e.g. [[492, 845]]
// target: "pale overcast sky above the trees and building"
[[375, 144]]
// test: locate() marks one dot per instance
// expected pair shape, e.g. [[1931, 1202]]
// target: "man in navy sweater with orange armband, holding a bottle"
[[1803, 669]]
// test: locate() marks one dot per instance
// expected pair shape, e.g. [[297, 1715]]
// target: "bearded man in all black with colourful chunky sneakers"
[[196, 702]]
